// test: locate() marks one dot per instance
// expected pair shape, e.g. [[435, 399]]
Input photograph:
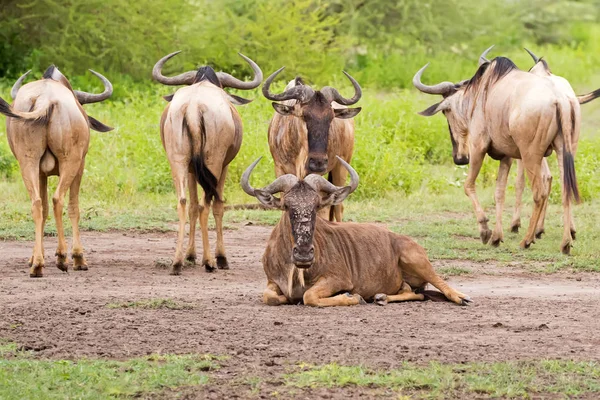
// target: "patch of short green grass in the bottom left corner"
[[25, 377]]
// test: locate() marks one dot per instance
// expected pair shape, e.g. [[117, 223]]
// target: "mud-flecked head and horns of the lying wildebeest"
[[301, 200]]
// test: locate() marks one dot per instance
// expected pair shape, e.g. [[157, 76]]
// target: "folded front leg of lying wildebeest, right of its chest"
[[319, 294]]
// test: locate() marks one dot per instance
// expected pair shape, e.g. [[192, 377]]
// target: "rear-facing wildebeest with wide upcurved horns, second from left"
[[201, 132]]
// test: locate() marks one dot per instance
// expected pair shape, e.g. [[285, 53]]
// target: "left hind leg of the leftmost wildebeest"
[[30, 171]]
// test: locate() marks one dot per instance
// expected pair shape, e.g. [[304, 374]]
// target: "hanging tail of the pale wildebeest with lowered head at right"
[[566, 124]]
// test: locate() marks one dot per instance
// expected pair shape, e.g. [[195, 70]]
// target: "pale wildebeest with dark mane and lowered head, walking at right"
[[508, 113]]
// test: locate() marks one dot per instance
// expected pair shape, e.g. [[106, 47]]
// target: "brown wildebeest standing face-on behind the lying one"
[[310, 128]]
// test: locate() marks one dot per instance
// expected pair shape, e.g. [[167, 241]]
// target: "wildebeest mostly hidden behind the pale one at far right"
[[542, 69]]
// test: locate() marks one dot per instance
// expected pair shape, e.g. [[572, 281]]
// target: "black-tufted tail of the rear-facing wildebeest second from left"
[[195, 125]]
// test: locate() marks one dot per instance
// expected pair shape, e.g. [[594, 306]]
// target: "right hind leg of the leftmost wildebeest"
[[68, 171]]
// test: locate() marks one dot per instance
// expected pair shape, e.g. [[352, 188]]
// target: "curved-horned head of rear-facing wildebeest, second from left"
[[207, 73]]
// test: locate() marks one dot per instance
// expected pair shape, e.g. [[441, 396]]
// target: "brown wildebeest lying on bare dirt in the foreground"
[[313, 260]]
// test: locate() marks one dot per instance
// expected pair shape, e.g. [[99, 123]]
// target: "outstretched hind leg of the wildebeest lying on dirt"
[[414, 263]]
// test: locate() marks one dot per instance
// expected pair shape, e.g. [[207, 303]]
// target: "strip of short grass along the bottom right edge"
[[438, 381]]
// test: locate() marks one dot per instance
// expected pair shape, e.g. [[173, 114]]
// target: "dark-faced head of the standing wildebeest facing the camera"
[[316, 112]]
